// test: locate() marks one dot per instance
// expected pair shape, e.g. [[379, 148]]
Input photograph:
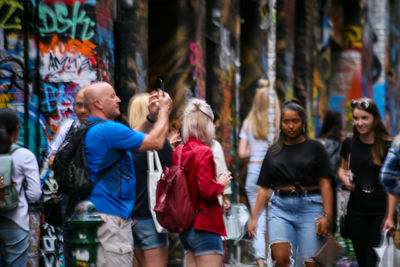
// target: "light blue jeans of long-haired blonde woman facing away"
[[253, 171]]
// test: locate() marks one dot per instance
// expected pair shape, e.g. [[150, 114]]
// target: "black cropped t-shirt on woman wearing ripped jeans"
[[299, 165]]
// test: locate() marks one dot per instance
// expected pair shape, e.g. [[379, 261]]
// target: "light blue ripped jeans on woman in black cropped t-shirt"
[[292, 219]]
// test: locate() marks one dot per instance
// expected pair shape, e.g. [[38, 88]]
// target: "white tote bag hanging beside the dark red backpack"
[[153, 175]]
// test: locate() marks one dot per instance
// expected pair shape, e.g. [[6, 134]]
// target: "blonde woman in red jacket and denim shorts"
[[202, 242]]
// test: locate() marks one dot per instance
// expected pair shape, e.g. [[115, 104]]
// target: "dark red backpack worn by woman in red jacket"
[[174, 207]]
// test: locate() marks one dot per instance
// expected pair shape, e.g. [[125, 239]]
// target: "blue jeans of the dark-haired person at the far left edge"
[[16, 244]]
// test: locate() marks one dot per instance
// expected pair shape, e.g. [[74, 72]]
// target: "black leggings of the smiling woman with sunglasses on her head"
[[365, 227]]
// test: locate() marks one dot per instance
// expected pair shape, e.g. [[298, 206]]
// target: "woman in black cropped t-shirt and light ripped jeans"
[[297, 170]]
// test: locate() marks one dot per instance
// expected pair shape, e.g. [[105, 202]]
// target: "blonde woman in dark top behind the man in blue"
[[150, 246]]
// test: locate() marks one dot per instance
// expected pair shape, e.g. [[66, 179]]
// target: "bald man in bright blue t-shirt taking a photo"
[[110, 142]]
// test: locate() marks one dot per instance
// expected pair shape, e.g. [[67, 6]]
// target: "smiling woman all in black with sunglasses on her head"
[[367, 206]]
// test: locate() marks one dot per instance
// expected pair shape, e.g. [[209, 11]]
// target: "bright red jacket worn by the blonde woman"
[[204, 189]]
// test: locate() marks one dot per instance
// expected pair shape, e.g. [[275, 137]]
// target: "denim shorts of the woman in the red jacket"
[[201, 242]]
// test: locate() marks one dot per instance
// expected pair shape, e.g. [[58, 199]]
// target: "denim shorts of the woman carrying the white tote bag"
[[145, 235]]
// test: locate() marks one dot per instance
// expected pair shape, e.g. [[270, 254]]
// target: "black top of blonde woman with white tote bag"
[[141, 209]]
